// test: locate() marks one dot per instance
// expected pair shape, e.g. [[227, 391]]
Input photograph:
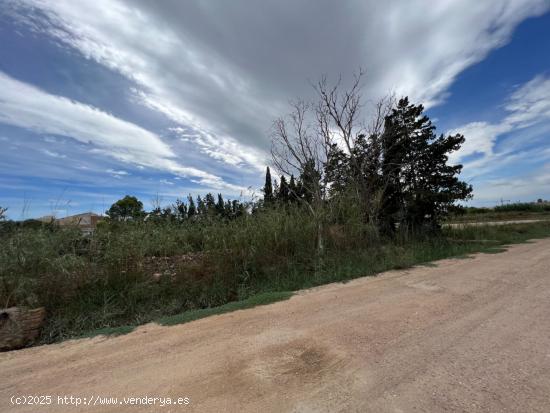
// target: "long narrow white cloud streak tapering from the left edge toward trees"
[[26, 106]]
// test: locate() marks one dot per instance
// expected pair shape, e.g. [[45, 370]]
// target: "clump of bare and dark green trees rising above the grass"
[[395, 170]]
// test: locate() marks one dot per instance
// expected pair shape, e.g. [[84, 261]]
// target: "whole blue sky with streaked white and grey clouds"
[[103, 98]]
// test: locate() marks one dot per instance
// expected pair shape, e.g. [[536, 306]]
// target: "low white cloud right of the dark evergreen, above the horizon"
[[526, 124]]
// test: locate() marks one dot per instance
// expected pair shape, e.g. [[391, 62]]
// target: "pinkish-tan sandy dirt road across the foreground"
[[466, 335]]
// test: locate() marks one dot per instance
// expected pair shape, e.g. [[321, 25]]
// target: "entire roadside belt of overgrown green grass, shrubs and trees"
[[352, 200]]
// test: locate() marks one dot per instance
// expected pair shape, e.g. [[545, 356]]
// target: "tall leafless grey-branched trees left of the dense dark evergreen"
[[311, 132]]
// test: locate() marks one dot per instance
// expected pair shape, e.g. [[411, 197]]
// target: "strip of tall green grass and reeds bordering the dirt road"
[[134, 272]]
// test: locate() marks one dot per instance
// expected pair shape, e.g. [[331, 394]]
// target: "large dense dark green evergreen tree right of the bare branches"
[[418, 186]]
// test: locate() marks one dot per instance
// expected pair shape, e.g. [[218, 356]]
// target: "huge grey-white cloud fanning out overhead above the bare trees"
[[226, 69]]
